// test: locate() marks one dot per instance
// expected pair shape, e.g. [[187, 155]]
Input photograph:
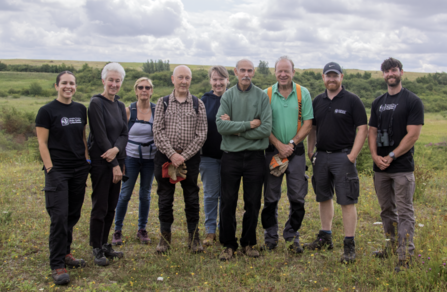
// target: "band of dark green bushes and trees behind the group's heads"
[[431, 88]]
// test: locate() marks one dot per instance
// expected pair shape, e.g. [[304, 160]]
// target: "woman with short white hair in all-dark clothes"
[[107, 148]]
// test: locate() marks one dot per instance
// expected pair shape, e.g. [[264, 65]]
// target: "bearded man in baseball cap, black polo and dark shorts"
[[339, 130]]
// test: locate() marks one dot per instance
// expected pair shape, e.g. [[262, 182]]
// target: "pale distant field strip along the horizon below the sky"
[[78, 64]]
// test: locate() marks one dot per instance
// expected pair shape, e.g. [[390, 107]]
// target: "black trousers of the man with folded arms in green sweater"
[[250, 166]]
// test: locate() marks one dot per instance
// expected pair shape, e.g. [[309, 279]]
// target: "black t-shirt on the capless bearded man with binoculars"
[[408, 110]]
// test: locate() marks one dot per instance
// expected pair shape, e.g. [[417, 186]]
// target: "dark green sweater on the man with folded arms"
[[243, 107]]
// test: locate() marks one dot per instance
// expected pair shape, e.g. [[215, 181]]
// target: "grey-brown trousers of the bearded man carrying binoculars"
[[395, 194]]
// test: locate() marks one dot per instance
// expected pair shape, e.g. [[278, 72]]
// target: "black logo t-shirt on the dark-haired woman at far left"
[[65, 123]]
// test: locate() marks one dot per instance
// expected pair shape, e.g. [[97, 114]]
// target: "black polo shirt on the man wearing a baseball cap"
[[337, 120]]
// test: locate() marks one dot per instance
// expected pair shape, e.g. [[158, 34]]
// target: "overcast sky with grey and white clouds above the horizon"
[[357, 34]]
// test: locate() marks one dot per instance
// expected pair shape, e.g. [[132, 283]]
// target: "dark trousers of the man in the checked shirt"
[[166, 191]]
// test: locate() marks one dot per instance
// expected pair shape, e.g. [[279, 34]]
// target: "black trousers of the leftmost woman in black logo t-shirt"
[[64, 196]]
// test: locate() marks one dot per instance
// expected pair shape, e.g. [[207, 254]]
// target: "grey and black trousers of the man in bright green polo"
[[297, 187]]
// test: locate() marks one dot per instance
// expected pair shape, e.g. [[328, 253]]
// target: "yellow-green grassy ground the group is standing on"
[[24, 227]]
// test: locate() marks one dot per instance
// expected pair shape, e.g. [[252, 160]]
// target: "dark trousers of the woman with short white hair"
[[104, 199]]
